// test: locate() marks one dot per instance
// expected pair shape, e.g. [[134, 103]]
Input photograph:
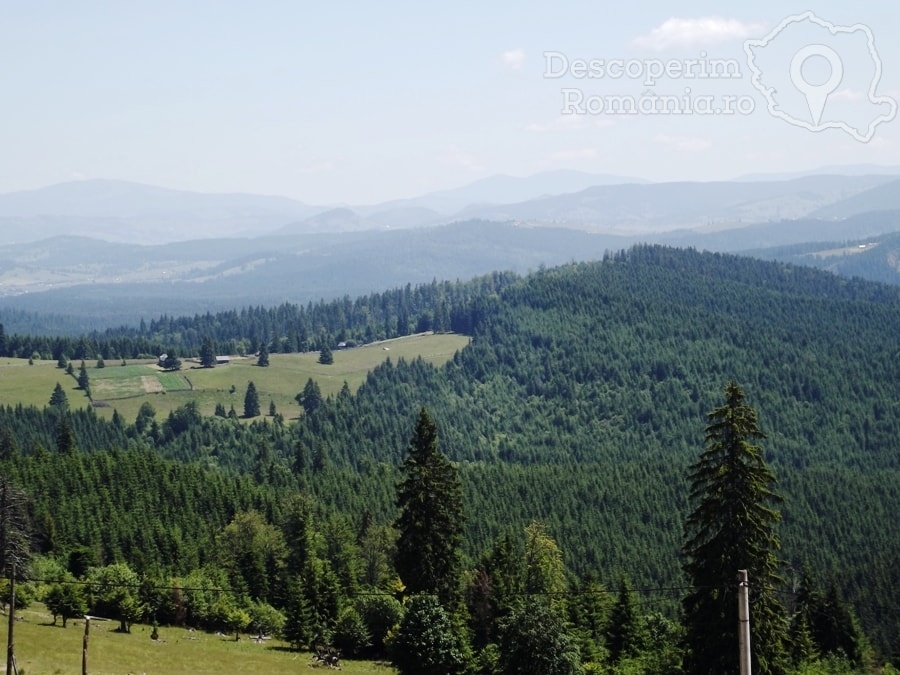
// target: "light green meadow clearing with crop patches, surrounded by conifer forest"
[[126, 388]]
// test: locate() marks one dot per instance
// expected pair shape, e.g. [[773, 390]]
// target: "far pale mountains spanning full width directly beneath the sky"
[[123, 212]]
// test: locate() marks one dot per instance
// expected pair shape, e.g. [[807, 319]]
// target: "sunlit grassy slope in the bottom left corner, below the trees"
[[44, 649]]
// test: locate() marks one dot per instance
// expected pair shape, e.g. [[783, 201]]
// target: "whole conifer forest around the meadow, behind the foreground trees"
[[579, 403]]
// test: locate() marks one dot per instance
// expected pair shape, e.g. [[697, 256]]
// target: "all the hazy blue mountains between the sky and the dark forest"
[[307, 253]]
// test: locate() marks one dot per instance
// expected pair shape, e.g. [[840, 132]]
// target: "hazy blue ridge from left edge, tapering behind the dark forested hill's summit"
[[129, 283]]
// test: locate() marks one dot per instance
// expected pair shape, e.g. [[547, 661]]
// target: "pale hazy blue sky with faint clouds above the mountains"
[[365, 102]]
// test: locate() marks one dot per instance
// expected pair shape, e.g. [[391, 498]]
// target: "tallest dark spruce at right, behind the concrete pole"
[[732, 527]]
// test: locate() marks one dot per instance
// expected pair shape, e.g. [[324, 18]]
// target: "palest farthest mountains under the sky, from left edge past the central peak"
[[125, 212]]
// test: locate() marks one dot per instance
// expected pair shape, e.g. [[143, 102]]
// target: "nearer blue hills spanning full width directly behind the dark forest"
[[95, 284]]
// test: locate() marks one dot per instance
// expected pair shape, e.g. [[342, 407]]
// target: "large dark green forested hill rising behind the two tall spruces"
[[582, 399]]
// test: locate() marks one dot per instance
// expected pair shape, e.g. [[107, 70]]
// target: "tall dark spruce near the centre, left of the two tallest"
[[431, 516]]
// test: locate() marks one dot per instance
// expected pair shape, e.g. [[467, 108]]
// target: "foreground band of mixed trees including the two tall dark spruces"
[[404, 592]]
